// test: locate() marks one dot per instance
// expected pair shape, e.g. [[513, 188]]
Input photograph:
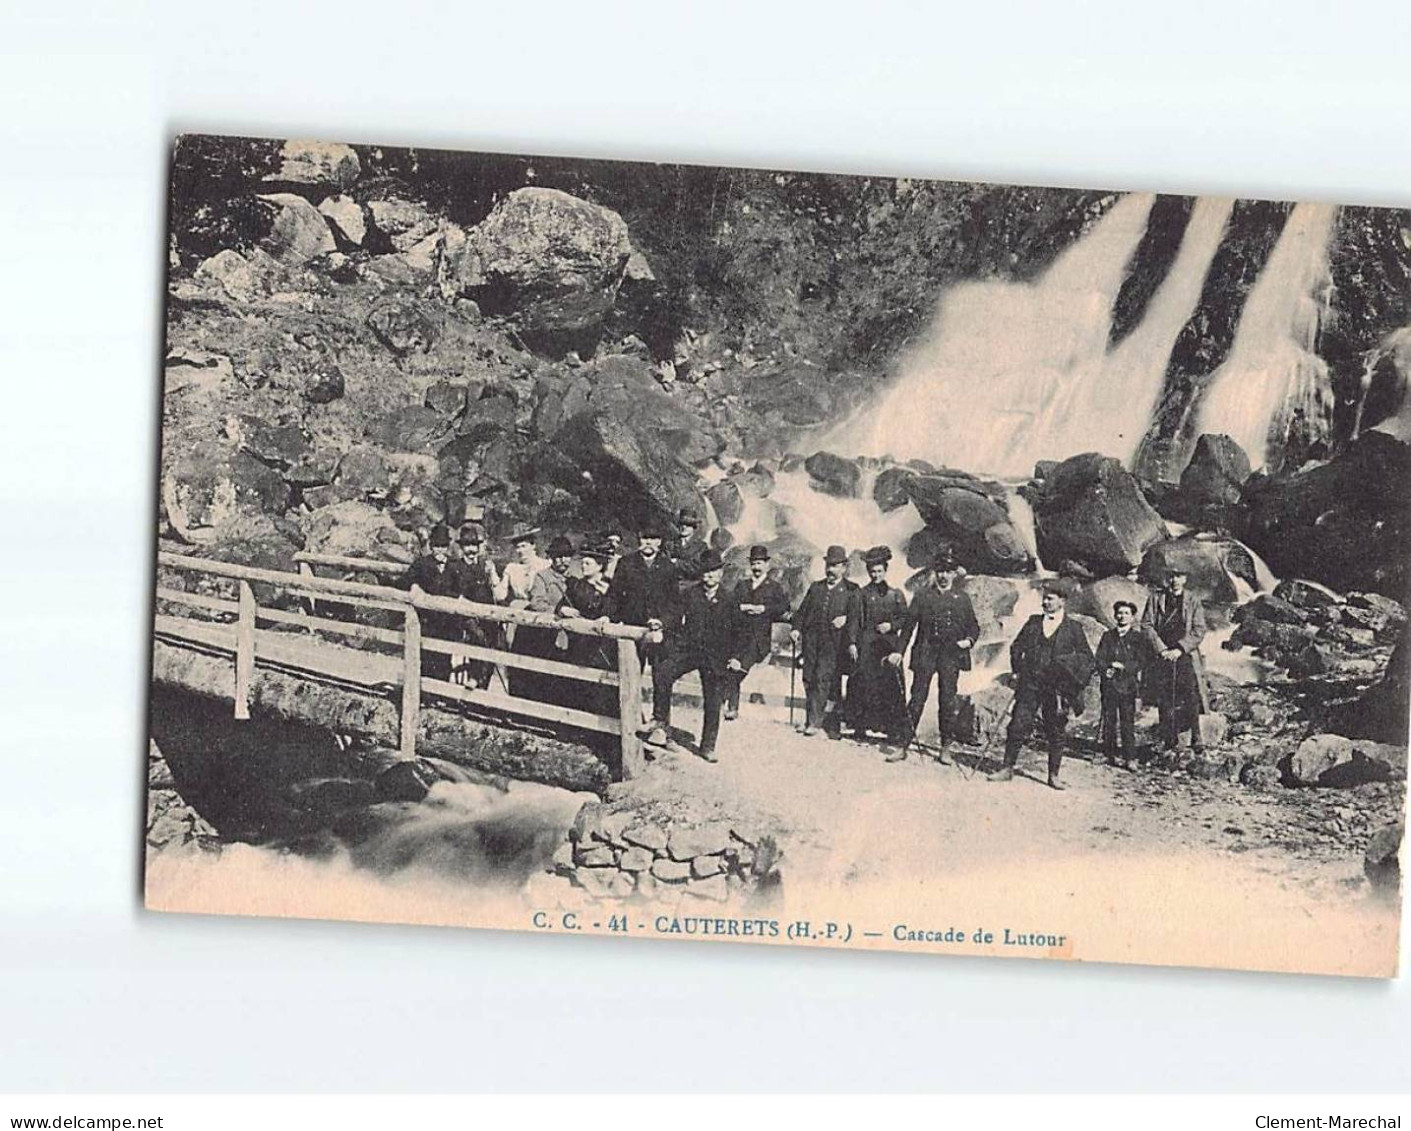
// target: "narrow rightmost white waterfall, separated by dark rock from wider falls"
[[1273, 377]]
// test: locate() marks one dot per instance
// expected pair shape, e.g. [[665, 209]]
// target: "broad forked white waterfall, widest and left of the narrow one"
[[1017, 373]]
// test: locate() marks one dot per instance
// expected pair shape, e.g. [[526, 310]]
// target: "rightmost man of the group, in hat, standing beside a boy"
[[1177, 679]]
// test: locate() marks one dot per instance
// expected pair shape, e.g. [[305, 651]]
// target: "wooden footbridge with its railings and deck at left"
[[368, 640]]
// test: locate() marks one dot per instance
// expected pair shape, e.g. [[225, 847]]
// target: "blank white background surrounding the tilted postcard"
[[1299, 99]]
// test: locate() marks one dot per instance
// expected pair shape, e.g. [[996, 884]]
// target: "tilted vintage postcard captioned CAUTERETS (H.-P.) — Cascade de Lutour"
[[734, 555]]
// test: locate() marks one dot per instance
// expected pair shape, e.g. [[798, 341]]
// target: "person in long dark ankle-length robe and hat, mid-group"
[[877, 689]]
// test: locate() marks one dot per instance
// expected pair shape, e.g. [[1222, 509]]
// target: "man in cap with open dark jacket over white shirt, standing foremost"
[[1052, 664]]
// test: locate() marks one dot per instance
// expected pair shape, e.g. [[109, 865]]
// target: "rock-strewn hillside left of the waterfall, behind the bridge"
[[366, 342]]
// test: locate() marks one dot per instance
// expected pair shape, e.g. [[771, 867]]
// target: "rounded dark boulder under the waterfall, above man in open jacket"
[[1090, 510]]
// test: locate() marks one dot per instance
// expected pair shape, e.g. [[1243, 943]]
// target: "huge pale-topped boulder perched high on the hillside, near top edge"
[[548, 257]]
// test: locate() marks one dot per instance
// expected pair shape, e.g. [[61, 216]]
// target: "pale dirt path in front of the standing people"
[[1142, 867]]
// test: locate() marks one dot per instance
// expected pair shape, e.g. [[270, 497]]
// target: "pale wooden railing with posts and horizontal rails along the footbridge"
[[238, 630]]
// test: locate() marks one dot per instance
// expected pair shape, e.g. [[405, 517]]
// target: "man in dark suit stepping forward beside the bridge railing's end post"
[[706, 637]]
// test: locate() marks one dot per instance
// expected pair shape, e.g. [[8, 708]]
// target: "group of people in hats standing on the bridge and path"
[[852, 641]]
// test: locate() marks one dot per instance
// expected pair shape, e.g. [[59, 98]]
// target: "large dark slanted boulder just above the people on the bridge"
[[631, 473]]
